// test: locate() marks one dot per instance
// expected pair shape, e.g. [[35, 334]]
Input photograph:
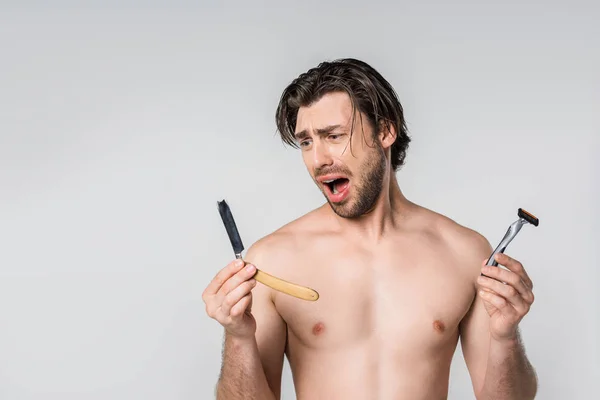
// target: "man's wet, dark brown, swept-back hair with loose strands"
[[369, 92]]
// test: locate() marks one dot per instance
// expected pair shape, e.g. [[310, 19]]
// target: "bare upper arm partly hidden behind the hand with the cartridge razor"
[[474, 328]]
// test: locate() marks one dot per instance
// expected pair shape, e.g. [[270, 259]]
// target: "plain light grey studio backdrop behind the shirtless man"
[[122, 125]]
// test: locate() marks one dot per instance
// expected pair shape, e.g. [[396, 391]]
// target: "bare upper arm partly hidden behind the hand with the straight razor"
[[271, 330]]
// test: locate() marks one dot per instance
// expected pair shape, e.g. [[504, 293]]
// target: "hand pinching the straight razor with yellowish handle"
[[228, 299]]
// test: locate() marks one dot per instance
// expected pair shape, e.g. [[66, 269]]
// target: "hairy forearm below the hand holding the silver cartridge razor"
[[509, 374]]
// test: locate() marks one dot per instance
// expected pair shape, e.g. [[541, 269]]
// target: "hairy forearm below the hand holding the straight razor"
[[242, 375]]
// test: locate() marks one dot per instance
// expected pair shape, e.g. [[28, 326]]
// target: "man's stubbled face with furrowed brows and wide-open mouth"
[[348, 169]]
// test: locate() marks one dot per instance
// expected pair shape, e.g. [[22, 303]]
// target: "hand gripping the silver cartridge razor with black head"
[[507, 296]]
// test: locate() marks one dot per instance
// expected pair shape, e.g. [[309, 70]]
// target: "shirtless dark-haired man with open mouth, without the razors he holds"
[[399, 284]]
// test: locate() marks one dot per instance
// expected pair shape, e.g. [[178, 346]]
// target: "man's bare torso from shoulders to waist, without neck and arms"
[[387, 319]]
